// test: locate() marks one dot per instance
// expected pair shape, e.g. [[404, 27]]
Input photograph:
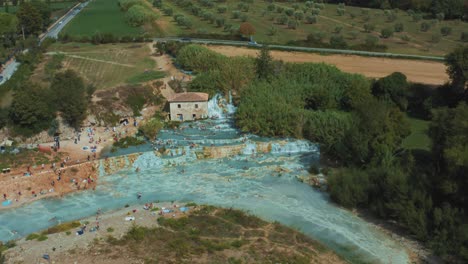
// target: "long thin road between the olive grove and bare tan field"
[[298, 48]]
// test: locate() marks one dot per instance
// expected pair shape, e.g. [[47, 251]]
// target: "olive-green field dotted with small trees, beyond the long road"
[[352, 24]]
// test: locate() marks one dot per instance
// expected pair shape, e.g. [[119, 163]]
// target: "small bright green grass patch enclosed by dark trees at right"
[[418, 139]]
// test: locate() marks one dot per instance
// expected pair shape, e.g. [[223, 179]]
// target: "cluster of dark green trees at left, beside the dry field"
[[34, 108]]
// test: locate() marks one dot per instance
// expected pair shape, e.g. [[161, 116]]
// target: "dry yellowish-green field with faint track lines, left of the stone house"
[[108, 65]]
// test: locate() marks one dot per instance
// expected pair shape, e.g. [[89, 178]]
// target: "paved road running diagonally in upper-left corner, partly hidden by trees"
[[51, 33]]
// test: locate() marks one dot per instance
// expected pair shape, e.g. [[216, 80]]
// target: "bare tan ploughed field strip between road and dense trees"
[[419, 71]]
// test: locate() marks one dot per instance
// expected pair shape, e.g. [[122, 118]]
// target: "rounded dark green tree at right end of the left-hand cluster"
[[69, 93]]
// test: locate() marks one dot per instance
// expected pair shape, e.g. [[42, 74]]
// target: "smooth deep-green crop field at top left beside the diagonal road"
[[103, 16]]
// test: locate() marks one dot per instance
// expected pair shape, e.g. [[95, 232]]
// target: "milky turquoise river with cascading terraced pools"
[[210, 162]]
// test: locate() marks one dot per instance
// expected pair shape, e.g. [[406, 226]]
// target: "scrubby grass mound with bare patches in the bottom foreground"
[[212, 235]]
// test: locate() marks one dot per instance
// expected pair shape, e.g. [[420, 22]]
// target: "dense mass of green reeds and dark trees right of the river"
[[360, 124]]
